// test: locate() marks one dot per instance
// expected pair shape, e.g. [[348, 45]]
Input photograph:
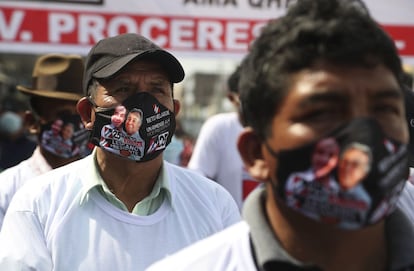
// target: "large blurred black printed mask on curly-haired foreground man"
[[350, 178]]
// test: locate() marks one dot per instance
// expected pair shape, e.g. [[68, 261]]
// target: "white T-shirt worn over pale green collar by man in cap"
[[57, 222]]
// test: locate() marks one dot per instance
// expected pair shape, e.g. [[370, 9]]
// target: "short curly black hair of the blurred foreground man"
[[340, 32]]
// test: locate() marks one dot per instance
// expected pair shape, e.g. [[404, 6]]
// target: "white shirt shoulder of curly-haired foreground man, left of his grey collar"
[[224, 250]]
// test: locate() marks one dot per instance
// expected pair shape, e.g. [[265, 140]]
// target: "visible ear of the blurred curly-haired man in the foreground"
[[250, 149]]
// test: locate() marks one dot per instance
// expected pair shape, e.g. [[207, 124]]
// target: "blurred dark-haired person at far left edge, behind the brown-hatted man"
[[15, 145]]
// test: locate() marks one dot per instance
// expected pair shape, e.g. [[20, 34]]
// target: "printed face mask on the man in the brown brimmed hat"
[[65, 137]]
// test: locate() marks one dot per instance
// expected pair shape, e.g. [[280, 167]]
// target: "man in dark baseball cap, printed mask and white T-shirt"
[[123, 207]]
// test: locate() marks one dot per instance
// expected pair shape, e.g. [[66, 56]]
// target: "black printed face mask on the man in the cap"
[[139, 129]]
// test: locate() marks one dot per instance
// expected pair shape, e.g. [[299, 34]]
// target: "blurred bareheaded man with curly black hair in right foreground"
[[325, 69]]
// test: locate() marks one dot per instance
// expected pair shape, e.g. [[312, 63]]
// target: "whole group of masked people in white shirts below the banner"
[[312, 171]]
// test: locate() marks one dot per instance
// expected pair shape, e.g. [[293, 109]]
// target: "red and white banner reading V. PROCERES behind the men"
[[212, 28]]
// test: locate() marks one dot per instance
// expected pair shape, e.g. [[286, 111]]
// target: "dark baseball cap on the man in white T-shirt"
[[111, 54]]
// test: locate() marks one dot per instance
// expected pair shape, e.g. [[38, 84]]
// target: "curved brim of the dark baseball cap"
[[167, 60]]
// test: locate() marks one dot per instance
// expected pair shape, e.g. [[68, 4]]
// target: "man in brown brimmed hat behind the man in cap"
[[56, 88]]
